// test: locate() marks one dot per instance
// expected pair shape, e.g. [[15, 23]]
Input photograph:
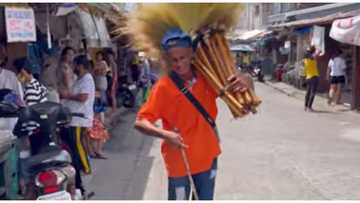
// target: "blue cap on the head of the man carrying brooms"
[[175, 37]]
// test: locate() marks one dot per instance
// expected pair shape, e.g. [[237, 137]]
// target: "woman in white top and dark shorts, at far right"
[[336, 70]]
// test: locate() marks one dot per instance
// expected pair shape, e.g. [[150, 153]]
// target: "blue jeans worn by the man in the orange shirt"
[[179, 187]]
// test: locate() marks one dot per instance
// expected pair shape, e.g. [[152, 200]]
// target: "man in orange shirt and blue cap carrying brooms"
[[183, 126]]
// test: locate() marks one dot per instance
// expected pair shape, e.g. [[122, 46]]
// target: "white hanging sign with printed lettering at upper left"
[[20, 24]]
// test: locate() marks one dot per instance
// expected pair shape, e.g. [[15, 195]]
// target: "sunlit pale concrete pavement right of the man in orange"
[[286, 153]]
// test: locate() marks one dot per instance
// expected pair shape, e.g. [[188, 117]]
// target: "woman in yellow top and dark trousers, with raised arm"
[[312, 78]]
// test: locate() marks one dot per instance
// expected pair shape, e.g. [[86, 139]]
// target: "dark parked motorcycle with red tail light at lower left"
[[48, 168]]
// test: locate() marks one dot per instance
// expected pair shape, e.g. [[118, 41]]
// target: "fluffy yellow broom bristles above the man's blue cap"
[[147, 24]]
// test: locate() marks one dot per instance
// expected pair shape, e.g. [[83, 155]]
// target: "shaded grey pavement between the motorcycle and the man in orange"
[[133, 163]]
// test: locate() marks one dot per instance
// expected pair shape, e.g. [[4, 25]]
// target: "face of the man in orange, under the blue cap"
[[180, 60]]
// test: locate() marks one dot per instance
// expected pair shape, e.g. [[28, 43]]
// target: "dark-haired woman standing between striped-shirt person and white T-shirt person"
[[65, 73]]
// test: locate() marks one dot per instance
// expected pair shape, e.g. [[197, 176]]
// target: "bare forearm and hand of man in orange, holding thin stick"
[[150, 129]]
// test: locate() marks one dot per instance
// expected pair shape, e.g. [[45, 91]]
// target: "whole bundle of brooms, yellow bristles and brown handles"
[[147, 24]]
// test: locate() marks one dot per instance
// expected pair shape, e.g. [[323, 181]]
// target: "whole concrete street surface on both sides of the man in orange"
[[280, 153]]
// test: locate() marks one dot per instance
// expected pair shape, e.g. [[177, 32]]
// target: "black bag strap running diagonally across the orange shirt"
[[180, 85]]
